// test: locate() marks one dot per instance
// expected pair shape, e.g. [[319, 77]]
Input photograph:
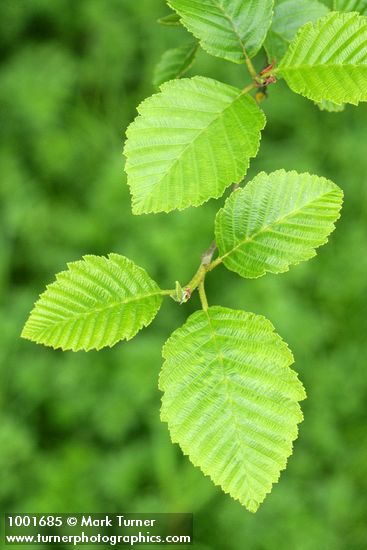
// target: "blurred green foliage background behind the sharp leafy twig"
[[81, 432]]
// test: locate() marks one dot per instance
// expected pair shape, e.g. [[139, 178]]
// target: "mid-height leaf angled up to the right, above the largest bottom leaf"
[[277, 220]]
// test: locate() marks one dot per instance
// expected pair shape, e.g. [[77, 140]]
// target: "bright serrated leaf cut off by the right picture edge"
[[328, 59]]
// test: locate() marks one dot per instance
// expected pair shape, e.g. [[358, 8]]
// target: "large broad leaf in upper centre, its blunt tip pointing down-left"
[[189, 143]]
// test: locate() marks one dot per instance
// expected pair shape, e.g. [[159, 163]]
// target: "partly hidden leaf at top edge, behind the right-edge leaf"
[[289, 16]]
